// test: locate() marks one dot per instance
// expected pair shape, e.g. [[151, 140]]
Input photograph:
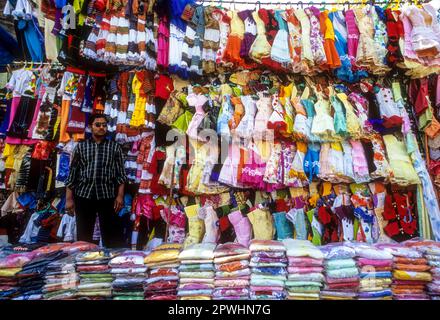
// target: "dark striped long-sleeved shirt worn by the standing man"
[[97, 169]]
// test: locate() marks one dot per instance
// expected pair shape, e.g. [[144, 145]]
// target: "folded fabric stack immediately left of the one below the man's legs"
[[62, 280]]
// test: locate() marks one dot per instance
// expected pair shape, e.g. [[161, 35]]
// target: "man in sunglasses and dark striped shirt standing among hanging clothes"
[[96, 185]]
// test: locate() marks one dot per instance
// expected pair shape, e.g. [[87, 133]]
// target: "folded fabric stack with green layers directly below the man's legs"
[[94, 274]]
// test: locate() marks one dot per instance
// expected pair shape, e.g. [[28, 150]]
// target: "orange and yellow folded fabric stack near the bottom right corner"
[[410, 273]]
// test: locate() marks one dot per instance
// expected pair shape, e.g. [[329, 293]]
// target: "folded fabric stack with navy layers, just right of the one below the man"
[[129, 273]]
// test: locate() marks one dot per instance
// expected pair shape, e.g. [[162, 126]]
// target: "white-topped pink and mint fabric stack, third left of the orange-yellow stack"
[[305, 278]]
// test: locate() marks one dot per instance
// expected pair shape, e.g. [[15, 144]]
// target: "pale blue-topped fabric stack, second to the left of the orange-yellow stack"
[[341, 272]]
